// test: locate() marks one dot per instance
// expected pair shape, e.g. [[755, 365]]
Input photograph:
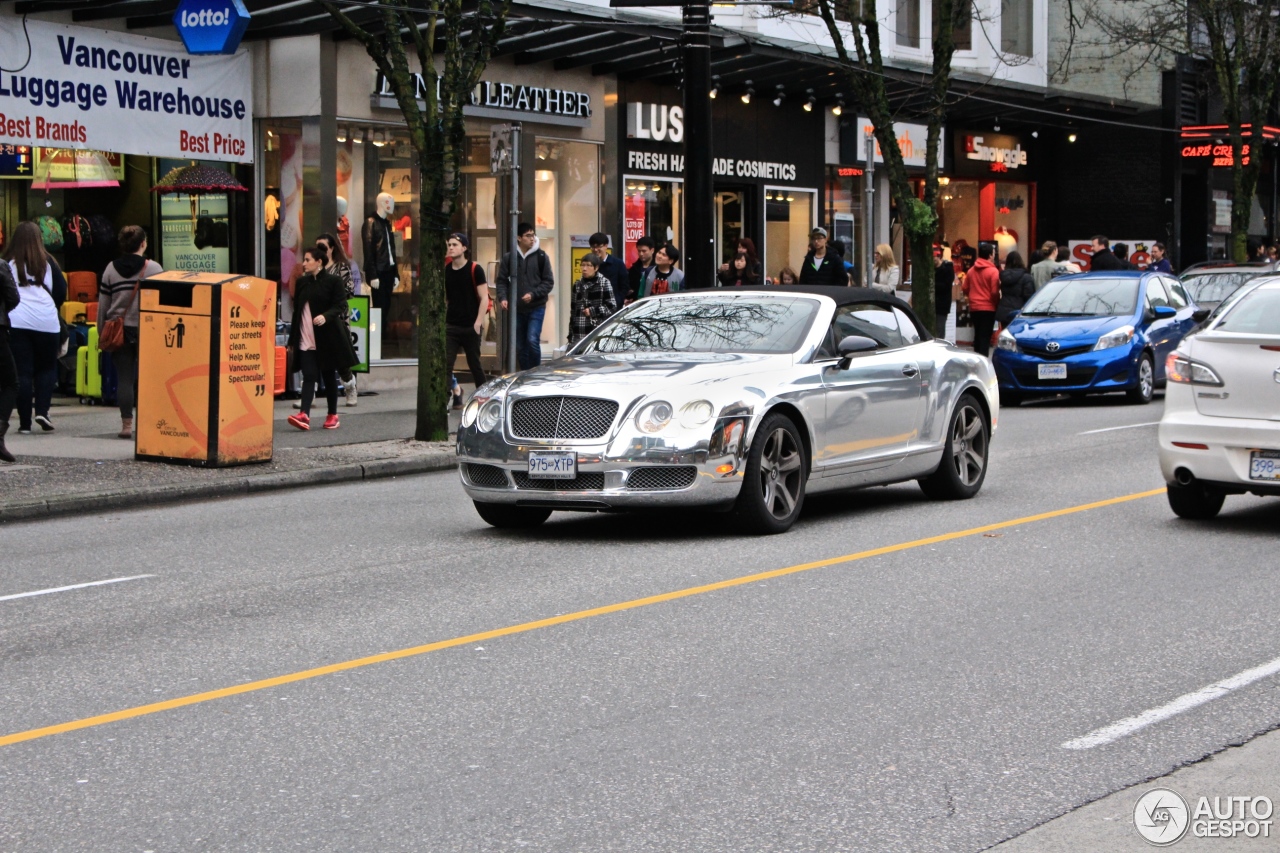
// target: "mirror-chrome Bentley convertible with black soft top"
[[740, 400]]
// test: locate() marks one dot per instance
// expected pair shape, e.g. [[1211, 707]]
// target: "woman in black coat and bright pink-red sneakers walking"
[[318, 335]]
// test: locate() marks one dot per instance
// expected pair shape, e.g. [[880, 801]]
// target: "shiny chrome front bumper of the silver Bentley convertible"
[[628, 471]]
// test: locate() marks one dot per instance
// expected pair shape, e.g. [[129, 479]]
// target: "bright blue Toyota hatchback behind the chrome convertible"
[[1094, 334]]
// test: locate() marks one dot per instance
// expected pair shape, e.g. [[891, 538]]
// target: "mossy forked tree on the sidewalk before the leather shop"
[[464, 34]]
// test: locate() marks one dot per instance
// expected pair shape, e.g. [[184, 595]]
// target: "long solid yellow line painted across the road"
[[196, 699]]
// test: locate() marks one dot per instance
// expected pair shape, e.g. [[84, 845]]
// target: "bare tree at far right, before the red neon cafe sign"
[[1238, 42]]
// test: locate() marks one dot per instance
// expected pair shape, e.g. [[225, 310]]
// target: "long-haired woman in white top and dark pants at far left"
[[35, 330]]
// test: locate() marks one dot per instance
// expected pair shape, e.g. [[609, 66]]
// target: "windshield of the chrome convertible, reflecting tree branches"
[[749, 325]]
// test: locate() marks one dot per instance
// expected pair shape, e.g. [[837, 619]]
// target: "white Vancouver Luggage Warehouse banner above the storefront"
[[111, 92]]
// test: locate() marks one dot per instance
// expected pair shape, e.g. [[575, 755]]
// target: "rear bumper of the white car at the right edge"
[[1226, 466]]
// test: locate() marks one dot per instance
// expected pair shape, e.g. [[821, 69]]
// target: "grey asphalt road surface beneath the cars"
[[913, 699]]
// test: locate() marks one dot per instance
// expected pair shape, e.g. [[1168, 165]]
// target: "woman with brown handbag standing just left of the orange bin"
[[118, 317]]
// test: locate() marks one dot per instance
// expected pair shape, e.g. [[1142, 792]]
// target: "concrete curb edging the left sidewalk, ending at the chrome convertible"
[[253, 485]]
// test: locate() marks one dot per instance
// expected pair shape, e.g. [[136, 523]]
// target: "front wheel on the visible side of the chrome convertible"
[[775, 478]]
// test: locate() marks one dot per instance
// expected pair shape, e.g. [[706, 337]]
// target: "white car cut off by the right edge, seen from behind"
[[1222, 428]]
